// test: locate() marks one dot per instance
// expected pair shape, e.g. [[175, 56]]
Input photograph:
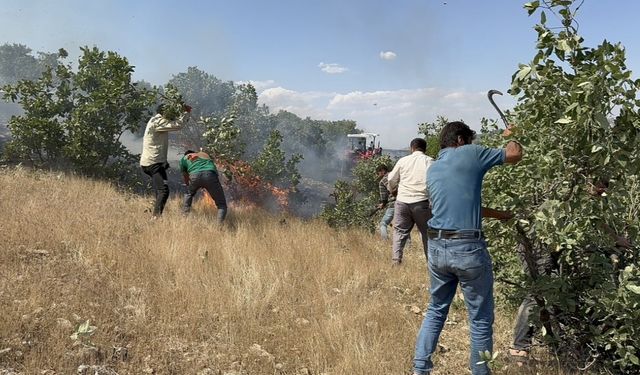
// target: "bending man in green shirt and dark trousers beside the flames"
[[199, 171]]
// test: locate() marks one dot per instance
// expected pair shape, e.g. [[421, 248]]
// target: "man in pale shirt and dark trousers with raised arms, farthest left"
[[155, 146]]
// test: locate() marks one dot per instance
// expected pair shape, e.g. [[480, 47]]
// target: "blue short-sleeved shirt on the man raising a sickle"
[[454, 182]]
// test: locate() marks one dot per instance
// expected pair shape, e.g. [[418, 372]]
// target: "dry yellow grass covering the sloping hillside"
[[260, 295]]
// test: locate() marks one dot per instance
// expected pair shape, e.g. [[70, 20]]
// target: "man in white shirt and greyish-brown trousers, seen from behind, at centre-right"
[[409, 179]]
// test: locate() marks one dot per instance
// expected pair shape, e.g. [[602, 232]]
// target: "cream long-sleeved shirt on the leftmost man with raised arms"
[[155, 143]]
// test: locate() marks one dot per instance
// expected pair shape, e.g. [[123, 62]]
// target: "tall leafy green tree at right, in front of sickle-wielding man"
[[578, 120]]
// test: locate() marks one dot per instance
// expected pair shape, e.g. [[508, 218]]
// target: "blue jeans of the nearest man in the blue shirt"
[[453, 261]]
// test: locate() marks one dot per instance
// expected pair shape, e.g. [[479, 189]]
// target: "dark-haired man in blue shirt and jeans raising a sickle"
[[457, 251]]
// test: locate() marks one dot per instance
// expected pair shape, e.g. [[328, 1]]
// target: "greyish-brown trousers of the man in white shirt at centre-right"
[[405, 217]]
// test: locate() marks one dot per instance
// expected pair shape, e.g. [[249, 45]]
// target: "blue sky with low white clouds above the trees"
[[389, 65]]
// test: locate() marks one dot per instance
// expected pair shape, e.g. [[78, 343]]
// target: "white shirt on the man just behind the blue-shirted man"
[[409, 177]]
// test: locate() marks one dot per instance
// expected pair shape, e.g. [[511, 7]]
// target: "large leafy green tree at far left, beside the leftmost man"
[[77, 118]]
